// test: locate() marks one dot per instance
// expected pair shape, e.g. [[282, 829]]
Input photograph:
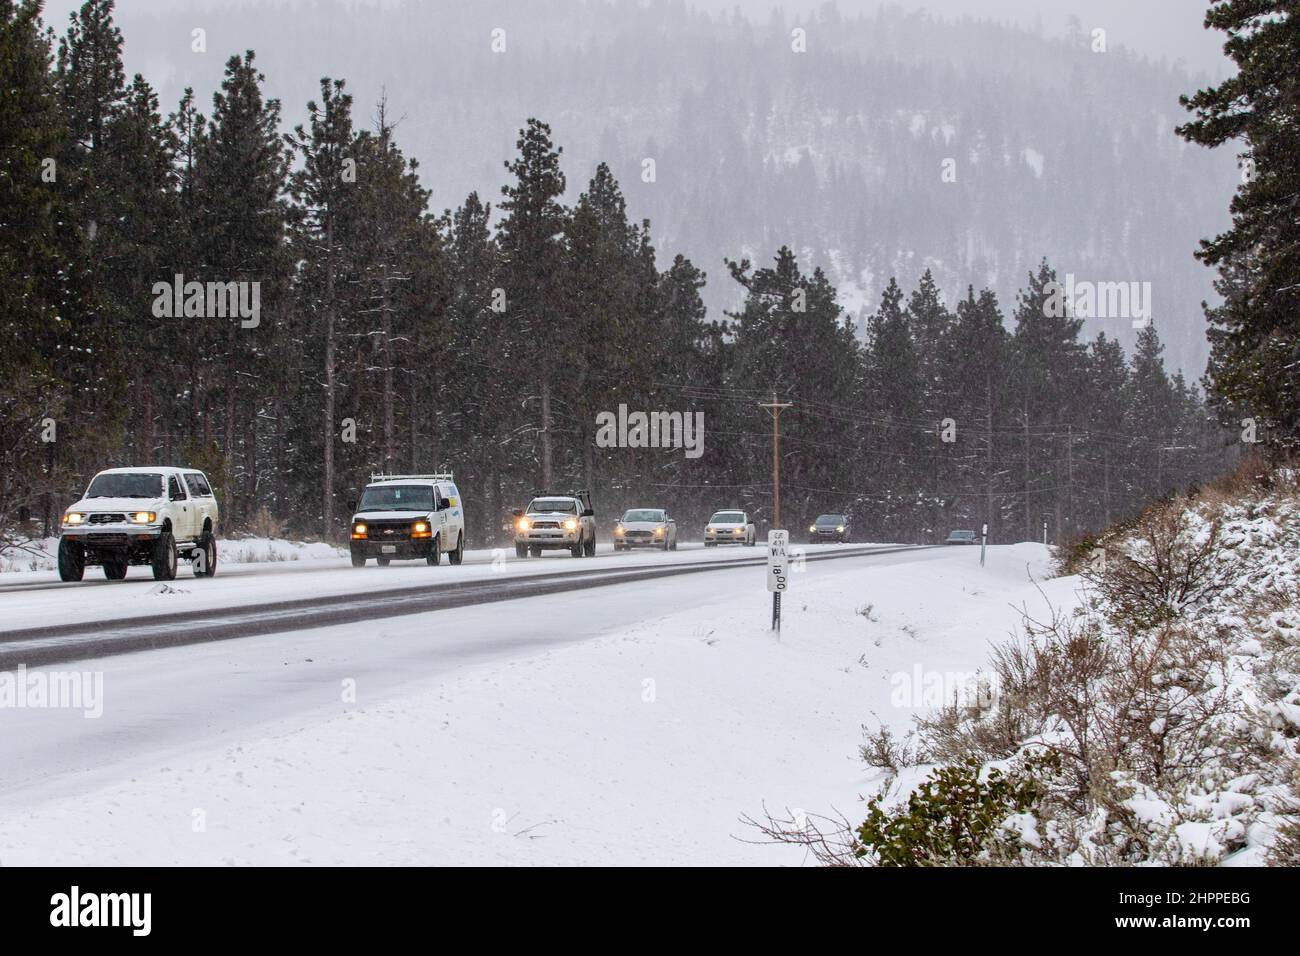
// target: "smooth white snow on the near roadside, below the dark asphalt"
[[640, 739]]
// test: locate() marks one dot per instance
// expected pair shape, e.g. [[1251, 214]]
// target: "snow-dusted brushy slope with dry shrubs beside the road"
[[1158, 720]]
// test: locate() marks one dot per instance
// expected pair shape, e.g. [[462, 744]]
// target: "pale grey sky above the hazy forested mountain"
[[1162, 29]]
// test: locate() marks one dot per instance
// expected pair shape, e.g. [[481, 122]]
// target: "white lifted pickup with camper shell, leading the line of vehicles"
[[141, 517]]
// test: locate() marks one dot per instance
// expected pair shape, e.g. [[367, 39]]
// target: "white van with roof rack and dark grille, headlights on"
[[409, 517]]
